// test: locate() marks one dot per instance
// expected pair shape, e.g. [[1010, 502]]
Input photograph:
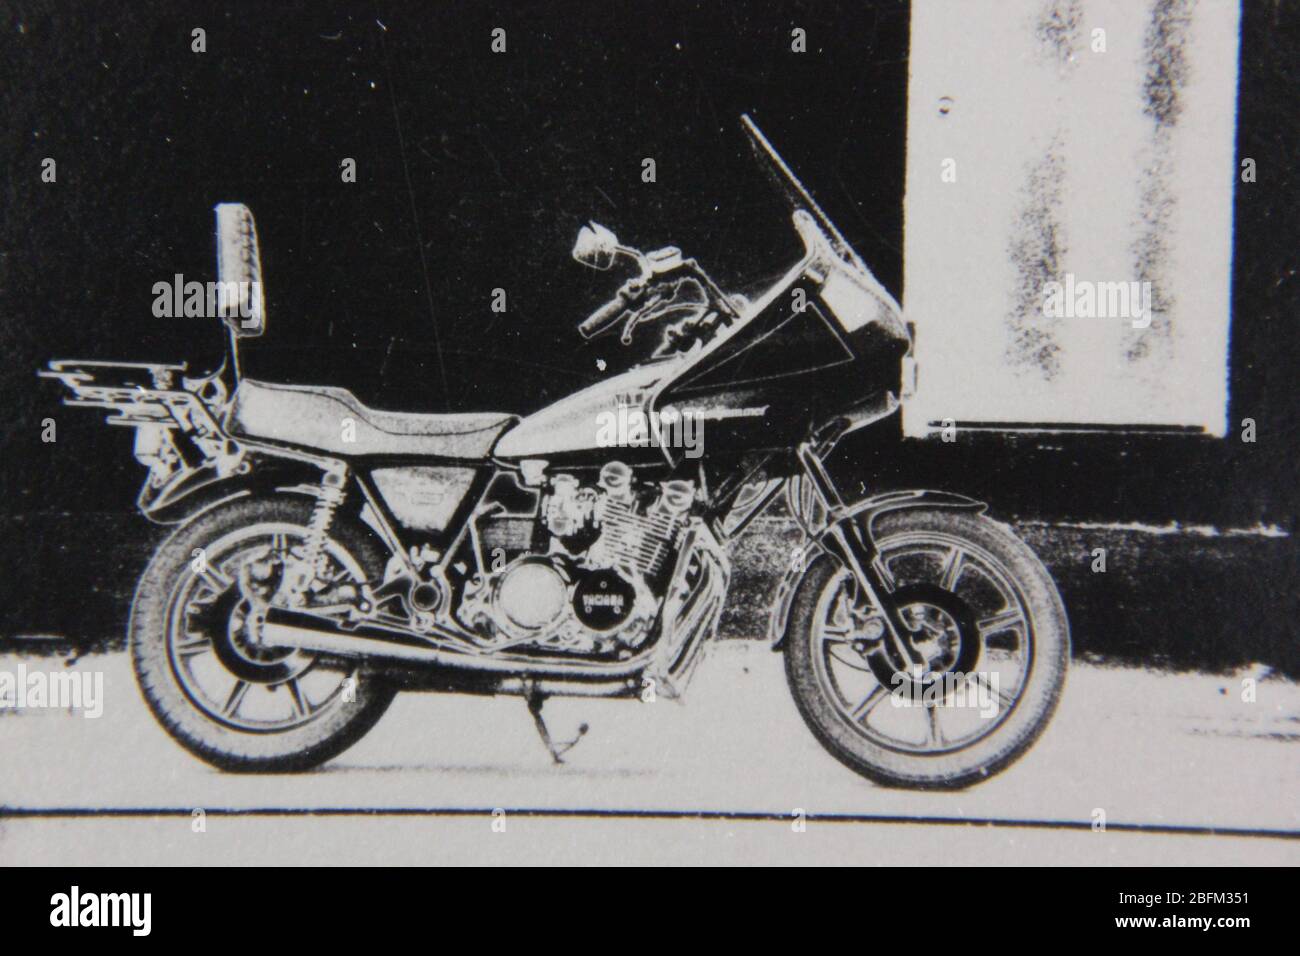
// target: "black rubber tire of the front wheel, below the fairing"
[[1046, 639]]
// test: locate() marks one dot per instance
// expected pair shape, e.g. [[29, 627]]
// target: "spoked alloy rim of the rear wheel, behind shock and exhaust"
[[229, 678]]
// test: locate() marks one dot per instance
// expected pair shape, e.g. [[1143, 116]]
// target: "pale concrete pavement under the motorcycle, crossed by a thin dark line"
[[1149, 750]]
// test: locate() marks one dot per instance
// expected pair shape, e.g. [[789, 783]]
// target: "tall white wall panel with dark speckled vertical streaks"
[[1108, 167]]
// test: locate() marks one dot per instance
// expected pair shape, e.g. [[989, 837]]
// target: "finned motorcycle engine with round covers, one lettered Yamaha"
[[596, 585]]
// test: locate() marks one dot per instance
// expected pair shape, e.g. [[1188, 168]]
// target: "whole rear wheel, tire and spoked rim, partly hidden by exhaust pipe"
[[233, 704]]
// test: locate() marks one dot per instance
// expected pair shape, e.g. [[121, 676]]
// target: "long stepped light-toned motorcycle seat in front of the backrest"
[[332, 419]]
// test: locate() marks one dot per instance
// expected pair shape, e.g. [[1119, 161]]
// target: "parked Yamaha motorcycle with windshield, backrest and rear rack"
[[330, 555]]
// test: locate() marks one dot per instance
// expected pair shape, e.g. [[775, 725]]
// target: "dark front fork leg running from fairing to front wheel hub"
[[852, 544]]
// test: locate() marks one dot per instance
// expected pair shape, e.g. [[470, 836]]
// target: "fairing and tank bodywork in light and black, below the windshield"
[[825, 339]]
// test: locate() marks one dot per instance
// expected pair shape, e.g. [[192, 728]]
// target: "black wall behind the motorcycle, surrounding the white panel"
[[475, 172]]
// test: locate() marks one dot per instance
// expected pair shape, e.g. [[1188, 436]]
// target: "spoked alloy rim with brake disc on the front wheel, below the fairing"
[[977, 652]]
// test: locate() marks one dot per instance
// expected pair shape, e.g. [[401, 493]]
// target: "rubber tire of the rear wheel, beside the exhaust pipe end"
[[163, 672]]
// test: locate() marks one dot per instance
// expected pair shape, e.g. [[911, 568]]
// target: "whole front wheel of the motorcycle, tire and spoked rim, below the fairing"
[[990, 652]]
